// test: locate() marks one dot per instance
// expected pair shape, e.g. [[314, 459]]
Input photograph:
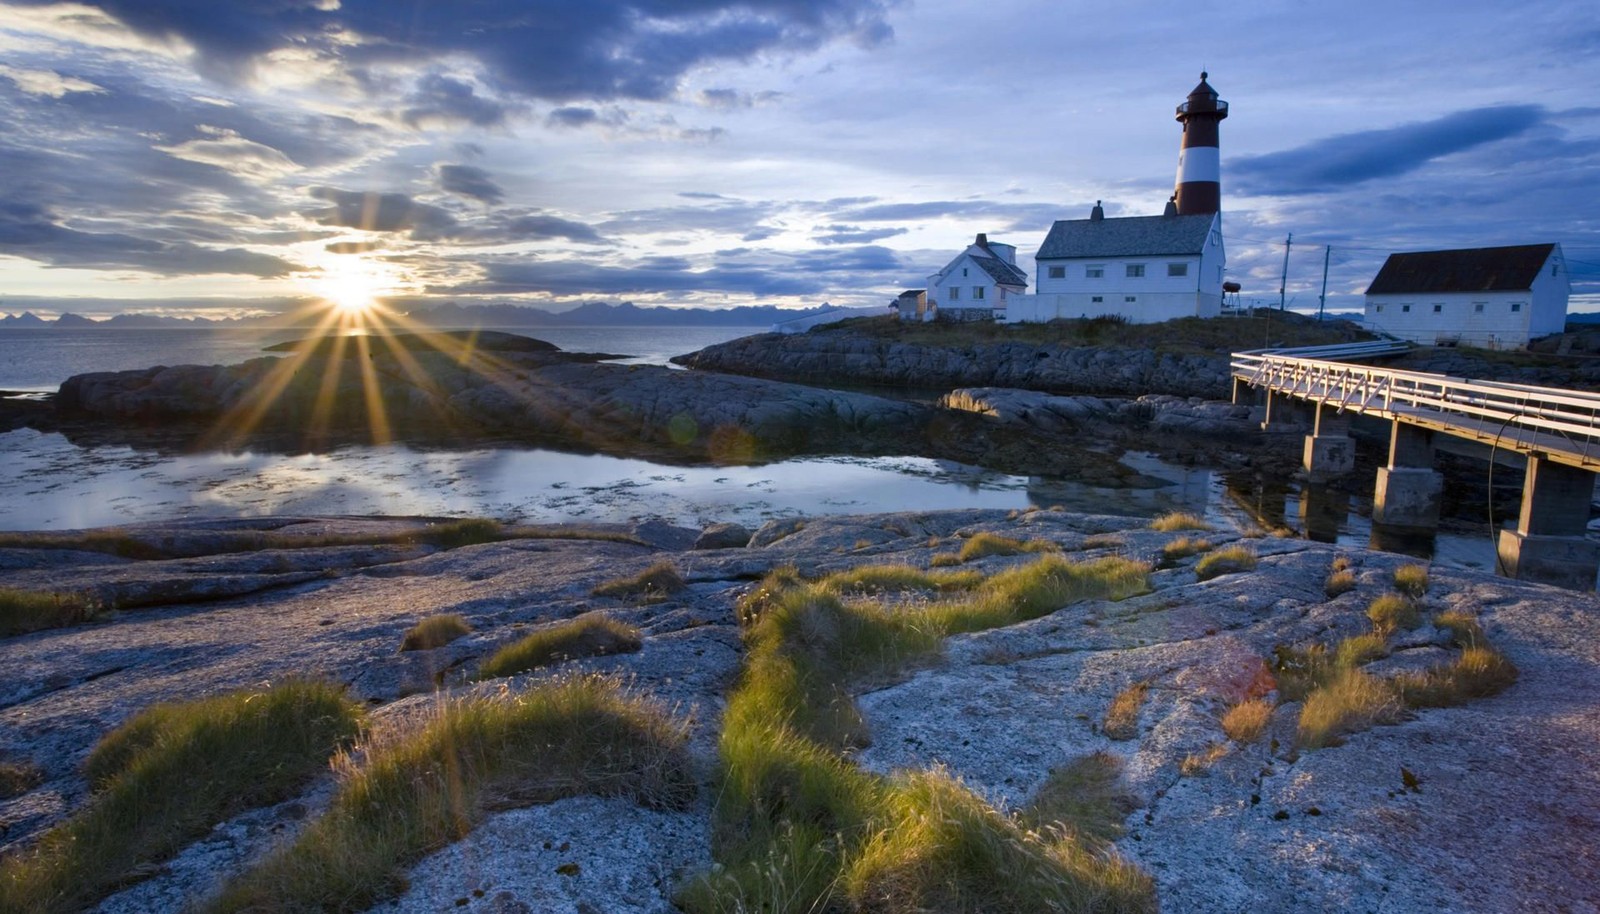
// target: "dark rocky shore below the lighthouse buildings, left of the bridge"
[[862, 359]]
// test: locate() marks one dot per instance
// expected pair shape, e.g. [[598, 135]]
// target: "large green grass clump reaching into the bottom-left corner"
[[167, 777]]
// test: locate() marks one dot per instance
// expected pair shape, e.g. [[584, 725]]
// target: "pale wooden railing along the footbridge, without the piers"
[[1521, 415]]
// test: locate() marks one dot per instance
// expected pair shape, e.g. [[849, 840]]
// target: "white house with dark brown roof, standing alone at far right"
[[1492, 299]]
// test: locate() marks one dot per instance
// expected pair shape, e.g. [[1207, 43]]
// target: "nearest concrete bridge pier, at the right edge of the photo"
[[1550, 543]]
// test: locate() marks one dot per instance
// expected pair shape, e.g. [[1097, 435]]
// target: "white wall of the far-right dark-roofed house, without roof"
[[1486, 319]]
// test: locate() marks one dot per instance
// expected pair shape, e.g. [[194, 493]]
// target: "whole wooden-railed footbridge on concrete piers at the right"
[[1556, 430]]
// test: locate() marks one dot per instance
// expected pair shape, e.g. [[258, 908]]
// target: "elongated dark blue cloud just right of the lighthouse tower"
[[1358, 158]]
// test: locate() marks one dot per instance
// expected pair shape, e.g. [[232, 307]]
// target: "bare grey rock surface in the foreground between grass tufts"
[[1505, 814]]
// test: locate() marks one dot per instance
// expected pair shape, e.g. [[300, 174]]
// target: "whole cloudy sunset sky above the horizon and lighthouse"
[[239, 158]]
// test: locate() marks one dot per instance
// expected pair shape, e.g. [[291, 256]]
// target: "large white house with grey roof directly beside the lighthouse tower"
[[1142, 268]]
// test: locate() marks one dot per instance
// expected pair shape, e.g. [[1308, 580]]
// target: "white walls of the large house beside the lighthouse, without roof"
[[1156, 295]]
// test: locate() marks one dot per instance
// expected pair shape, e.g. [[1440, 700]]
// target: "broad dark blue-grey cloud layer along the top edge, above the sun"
[[553, 50]]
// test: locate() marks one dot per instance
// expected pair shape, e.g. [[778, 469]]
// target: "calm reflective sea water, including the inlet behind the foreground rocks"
[[49, 483]]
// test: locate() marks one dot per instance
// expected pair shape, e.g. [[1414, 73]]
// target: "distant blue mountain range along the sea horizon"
[[455, 316]]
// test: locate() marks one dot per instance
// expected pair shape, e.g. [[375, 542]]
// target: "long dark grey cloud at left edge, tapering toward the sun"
[[30, 231]]
